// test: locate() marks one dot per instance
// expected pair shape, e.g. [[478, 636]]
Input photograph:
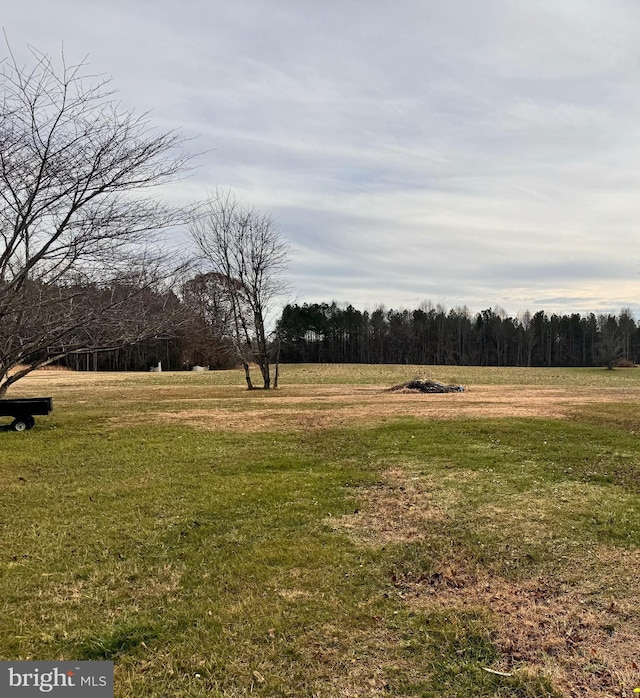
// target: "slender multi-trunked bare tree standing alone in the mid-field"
[[247, 255]]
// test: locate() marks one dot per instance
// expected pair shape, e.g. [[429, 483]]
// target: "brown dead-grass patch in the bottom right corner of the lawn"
[[543, 626]]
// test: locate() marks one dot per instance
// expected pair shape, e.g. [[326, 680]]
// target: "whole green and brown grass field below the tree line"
[[330, 538]]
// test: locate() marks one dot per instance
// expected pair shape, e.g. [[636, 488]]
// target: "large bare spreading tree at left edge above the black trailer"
[[78, 223]]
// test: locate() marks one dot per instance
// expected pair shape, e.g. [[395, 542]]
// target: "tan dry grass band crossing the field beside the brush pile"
[[311, 406]]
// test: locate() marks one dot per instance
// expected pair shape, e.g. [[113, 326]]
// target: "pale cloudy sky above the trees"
[[470, 152]]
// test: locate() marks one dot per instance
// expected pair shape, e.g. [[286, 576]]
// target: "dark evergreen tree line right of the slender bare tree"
[[332, 333]]
